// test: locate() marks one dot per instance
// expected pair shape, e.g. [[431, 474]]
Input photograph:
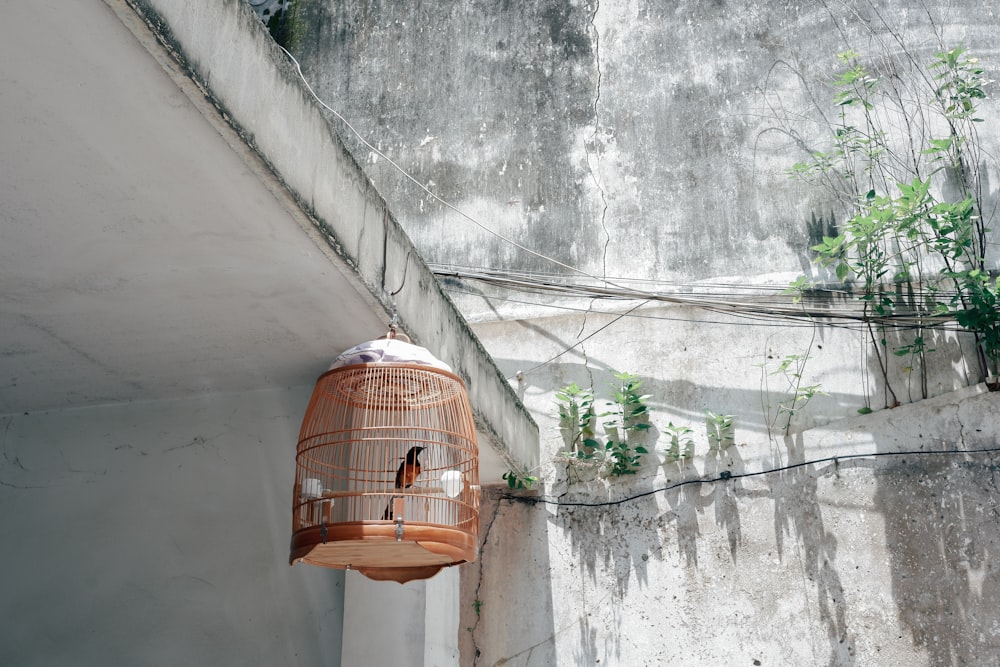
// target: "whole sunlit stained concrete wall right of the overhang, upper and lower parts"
[[650, 141]]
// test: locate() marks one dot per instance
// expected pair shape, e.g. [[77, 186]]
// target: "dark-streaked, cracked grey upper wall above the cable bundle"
[[632, 139]]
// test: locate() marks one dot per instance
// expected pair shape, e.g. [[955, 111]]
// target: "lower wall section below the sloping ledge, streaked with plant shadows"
[[869, 542]]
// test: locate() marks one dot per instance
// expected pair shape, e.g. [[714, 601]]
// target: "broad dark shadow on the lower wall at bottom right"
[[941, 521]]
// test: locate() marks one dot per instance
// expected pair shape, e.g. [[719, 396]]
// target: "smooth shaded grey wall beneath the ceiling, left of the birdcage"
[[157, 534]]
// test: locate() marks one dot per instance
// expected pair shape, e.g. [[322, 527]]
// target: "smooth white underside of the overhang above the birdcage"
[[142, 256]]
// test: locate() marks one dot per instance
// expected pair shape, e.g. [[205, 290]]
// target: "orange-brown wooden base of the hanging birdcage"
[[372, 549]]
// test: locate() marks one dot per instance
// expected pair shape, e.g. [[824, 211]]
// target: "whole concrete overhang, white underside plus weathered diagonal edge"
[[177, 217]]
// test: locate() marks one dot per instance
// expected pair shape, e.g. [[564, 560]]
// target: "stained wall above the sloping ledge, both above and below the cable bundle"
[[634, 140]]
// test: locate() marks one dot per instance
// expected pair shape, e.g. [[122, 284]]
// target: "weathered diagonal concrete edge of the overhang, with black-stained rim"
[[225, 49]]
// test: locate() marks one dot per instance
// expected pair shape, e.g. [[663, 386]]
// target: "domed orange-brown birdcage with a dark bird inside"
[[387, 466]]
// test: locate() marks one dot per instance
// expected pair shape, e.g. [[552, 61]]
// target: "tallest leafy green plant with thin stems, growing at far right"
[[890, 174]]
